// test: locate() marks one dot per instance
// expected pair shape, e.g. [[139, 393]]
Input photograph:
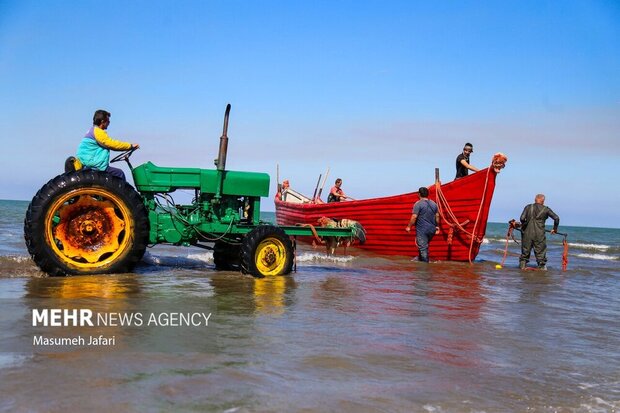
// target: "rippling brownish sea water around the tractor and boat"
[[354, 332]]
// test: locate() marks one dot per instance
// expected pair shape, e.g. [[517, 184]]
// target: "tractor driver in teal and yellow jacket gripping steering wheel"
[[94, 150]]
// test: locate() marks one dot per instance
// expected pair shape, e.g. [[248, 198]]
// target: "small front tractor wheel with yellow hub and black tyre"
[[266, 251]]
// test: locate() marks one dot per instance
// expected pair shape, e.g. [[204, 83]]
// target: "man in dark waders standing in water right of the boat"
[[533, 220]]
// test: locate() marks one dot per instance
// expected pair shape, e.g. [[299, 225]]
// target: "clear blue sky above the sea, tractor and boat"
[[381, 92]]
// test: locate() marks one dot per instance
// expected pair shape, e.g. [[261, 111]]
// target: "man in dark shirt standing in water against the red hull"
[[425, 217]]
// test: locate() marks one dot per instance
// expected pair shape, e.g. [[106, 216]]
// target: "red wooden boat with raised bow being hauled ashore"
[[463, 206]]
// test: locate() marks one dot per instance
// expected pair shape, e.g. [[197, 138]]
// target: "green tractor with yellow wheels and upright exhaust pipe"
[[89, 222]]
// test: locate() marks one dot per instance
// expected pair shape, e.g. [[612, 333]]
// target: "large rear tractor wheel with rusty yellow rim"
[[86, 222]]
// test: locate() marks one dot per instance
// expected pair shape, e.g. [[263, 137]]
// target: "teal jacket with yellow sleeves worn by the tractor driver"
[[94, 150]]
